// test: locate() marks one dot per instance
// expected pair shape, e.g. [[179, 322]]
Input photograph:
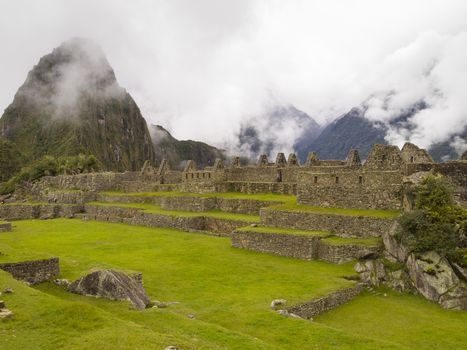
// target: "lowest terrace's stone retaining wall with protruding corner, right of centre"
[[306, 247]]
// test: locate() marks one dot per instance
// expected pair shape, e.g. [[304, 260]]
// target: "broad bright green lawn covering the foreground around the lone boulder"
[[228, 290]]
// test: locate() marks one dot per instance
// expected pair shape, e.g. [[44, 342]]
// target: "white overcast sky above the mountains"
[[200, 67]]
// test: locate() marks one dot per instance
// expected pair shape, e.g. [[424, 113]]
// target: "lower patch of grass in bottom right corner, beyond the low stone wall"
[[405, 318]]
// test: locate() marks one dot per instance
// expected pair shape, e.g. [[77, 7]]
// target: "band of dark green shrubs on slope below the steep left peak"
[[49, 166]]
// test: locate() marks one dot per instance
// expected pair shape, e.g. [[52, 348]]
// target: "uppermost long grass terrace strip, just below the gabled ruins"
[[233, 195]]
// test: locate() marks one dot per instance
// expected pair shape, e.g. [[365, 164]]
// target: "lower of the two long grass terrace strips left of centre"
[[156, 209]]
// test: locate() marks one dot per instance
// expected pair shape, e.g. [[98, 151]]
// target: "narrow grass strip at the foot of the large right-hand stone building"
[[337, 211]]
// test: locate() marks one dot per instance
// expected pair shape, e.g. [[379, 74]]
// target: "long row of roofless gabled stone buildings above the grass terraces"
[[373, 184]]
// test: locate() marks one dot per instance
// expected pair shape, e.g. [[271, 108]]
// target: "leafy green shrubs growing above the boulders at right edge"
[[437, 223]]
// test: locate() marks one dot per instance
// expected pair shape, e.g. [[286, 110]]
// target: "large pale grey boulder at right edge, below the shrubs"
[[435, 279]]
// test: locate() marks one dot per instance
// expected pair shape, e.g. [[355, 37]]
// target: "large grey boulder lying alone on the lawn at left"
[[113, 285]]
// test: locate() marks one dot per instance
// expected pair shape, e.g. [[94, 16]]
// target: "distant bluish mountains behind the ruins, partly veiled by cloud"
[[288, 127]]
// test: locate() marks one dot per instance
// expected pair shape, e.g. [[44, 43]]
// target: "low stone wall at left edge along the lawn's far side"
[[38, 211]]
